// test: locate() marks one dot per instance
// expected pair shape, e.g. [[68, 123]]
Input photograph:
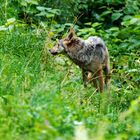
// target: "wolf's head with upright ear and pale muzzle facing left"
[[62, 45]]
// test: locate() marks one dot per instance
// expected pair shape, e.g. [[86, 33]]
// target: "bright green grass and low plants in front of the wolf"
[[42, 97]]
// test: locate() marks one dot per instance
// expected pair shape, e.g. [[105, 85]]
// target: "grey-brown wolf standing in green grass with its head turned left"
[[91, 55]]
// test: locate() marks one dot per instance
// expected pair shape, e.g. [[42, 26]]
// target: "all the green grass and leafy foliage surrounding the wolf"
[[41, 95]]
